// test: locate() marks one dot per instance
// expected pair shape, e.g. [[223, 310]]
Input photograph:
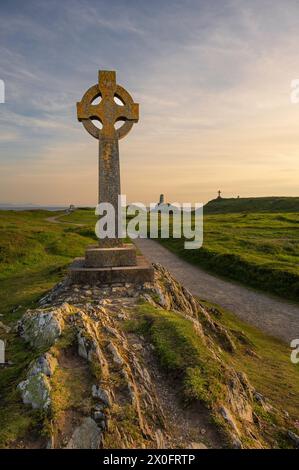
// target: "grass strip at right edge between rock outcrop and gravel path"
[[269, 369]]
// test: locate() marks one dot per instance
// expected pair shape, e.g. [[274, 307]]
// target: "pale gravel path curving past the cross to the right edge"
[[271, 314]]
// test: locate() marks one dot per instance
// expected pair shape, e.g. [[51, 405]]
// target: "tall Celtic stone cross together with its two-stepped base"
[[111, 260]]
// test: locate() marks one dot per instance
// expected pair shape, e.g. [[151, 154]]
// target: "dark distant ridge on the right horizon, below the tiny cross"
[[252, 204]]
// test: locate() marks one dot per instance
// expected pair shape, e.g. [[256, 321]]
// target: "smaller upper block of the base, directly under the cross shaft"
[[95, 256]]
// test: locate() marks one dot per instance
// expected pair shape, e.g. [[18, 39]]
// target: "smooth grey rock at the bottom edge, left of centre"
[[86, 436]]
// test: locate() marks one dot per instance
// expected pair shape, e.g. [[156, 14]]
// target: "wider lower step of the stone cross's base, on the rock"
[[142, 272]]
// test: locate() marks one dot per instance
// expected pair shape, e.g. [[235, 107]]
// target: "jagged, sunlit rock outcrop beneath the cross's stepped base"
[[121, 406]]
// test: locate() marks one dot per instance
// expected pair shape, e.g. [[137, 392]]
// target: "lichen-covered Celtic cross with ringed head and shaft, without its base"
[[108, 112]]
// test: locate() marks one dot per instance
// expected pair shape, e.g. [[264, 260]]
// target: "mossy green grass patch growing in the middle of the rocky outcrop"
[[180, 351]]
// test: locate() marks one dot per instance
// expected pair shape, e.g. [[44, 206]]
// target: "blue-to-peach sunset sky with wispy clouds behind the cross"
[[213, 80]]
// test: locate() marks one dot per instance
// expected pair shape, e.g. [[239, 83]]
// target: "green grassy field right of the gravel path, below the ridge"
[[257, 249]]
